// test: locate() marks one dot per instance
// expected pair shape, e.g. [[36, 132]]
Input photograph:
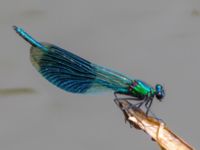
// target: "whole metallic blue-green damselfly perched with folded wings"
[[77, 75]]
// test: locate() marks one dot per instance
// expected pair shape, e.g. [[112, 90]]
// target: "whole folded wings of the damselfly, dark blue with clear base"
[[73, 73]]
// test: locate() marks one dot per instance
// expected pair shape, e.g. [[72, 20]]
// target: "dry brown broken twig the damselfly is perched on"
[[165, 138]]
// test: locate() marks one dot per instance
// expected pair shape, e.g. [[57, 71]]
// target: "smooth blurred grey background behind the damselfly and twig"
[[153, 40]]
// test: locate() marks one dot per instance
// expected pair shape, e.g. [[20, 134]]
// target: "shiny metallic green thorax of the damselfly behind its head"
[[141, 89]]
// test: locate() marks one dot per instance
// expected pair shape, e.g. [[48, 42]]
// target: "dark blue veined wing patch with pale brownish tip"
[[64, 69]]
